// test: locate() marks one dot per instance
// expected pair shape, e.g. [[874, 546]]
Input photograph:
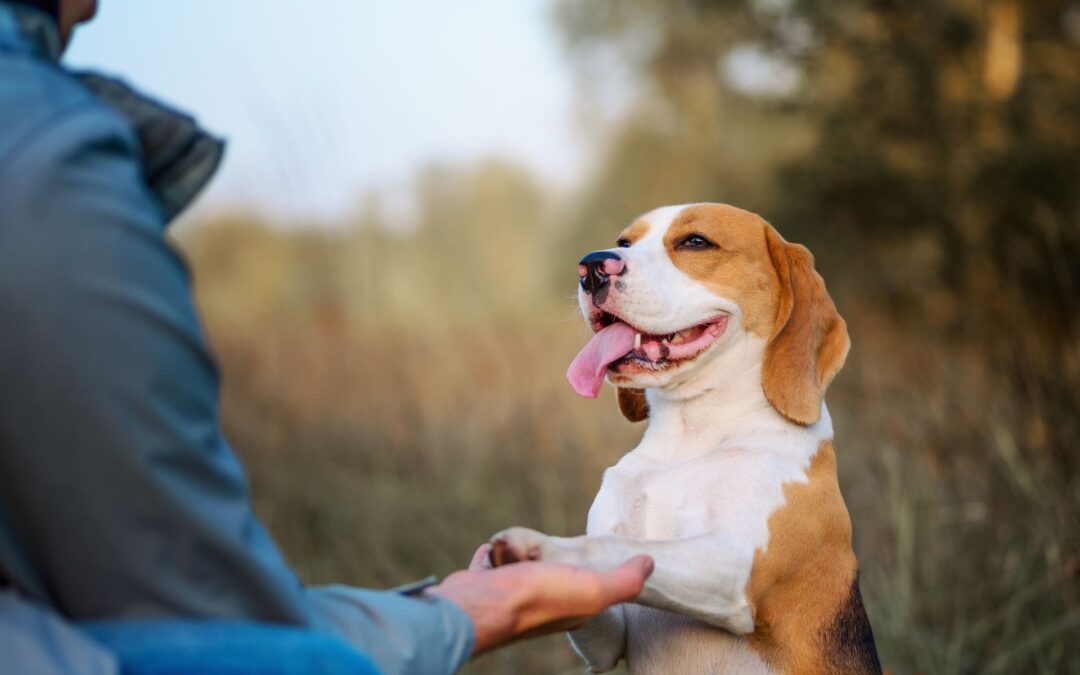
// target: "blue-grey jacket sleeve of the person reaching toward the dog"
[[119, 497]]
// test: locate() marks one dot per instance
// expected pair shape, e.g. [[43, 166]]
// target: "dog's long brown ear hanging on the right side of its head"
[[809, 340]]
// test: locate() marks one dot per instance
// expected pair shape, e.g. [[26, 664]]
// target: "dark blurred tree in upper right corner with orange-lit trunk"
[[956, 119]]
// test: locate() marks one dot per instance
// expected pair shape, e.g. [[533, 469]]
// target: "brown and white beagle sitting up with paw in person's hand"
[[723, 335]]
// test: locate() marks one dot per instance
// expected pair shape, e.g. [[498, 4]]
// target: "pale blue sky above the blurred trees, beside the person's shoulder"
[[322, 101]]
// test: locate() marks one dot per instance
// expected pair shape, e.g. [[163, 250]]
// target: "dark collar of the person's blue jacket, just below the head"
[[179, 157]]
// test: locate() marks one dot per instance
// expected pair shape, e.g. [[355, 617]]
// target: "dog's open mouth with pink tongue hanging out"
[[622, 348]]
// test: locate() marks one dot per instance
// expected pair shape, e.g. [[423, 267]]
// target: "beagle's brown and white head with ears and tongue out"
[[687, 285]]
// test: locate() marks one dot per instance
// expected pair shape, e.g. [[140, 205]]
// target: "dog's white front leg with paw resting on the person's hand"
[[703, 577]]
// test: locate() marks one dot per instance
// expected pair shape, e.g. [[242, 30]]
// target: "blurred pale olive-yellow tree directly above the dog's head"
[[686, 139]]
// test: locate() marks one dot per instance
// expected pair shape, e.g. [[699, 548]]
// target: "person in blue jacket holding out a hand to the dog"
[[123, 508]]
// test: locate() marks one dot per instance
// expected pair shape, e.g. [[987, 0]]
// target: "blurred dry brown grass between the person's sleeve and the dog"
[[380, 457]]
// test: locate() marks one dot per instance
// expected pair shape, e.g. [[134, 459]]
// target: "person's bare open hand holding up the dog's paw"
[[526, 600]]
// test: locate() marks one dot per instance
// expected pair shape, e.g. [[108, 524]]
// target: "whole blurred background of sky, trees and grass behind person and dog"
[[386, 268]]
